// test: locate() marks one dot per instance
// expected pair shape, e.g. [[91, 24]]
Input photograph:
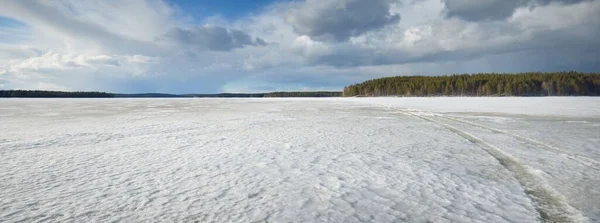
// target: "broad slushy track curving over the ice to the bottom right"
[[551, 205]]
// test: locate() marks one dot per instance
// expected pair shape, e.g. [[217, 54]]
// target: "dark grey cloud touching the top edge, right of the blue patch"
[[339, 20]]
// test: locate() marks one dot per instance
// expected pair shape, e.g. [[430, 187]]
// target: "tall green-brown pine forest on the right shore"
[[483, 84]]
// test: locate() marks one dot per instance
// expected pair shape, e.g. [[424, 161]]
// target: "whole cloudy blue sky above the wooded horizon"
[[211, 46]]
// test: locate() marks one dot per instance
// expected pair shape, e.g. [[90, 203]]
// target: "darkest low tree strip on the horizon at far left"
[[52, 94]]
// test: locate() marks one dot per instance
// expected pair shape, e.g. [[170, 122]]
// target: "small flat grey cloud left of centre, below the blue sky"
[[213, 38]]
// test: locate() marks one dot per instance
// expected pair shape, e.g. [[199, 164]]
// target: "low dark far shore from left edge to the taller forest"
[[85, 94]]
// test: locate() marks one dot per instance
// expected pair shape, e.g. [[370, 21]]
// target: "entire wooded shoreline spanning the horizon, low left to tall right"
[[463, 85]]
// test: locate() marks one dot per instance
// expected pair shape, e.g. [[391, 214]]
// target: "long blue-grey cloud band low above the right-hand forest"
[[561, 49]]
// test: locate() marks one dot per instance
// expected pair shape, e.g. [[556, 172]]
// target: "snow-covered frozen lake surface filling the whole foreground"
[[300, 160]]
